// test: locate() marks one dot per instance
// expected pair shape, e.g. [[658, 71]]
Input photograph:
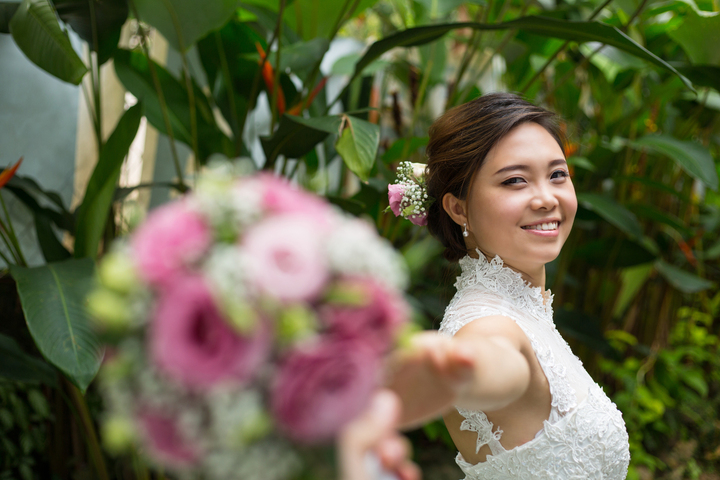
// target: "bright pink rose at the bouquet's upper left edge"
[[170, 239]]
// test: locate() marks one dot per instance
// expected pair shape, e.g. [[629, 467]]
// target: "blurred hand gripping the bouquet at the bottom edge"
[[370, 448]]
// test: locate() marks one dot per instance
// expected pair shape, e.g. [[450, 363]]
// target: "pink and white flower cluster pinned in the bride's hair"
[[408, 195]]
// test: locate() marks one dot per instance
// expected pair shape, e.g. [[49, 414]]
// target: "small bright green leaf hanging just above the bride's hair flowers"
[[358, 146]]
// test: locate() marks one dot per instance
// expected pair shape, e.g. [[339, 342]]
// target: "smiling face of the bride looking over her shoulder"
[[522, 203]]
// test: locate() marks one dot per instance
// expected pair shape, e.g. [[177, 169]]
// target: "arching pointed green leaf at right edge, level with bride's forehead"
[[691, 156]]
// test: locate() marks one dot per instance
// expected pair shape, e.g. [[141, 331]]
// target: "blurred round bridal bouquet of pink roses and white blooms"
[[247, 323]]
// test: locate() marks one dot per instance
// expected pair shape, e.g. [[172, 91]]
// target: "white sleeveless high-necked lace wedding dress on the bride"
[[585, 436]]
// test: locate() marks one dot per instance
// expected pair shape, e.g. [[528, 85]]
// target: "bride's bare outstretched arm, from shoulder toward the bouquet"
[[483, 367]]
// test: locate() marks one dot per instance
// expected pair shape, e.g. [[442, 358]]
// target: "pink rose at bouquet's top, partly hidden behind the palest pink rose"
[[279, 196]]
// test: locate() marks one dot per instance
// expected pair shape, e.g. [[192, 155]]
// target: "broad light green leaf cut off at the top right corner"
[[699, 35]]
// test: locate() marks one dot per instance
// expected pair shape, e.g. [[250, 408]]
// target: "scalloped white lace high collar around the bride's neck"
[[498, 278]]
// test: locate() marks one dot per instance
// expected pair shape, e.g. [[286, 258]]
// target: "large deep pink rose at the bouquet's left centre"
[[192, 343]]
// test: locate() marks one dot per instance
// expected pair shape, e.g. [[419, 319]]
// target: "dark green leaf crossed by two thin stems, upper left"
[[133, 70]]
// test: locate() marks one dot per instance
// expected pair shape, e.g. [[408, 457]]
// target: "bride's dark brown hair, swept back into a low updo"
[[459, 142]]
